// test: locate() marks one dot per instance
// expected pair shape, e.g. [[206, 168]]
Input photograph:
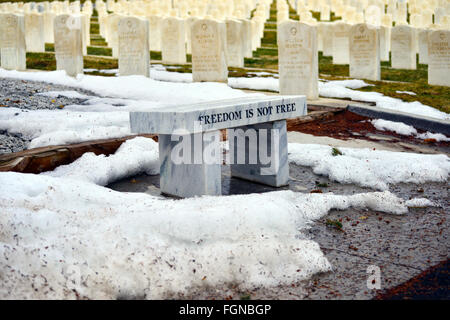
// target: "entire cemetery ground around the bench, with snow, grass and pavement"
[[362, 192]]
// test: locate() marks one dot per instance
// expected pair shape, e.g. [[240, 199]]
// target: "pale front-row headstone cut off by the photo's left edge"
[[12, 42]]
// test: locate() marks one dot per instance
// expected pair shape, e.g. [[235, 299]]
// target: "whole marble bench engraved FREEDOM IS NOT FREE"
[[252, 124]]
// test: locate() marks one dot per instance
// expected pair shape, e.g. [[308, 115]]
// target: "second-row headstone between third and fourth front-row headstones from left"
[[173, 45]]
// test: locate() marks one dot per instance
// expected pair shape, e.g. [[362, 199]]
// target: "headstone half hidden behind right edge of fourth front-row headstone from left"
[[235, 46]]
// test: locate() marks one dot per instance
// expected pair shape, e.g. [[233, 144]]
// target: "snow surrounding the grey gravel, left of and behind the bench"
[[100, 117]]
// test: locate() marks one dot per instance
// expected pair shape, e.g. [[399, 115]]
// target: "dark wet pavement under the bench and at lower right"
[[401, 246]]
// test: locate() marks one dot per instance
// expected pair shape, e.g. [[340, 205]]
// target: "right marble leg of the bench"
[[265, 142]]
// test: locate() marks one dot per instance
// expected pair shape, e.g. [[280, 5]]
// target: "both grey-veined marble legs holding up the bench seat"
[[257, 153]]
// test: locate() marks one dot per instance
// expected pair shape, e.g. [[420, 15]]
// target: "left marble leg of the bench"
[[188, 179]]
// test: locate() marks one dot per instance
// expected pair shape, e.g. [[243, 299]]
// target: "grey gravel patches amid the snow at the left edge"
[[22, 94]]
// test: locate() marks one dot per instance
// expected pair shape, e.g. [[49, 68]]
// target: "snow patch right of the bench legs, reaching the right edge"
[[371, 168]]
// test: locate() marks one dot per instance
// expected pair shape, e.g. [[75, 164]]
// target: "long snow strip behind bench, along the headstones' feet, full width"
[[152, 89]]
